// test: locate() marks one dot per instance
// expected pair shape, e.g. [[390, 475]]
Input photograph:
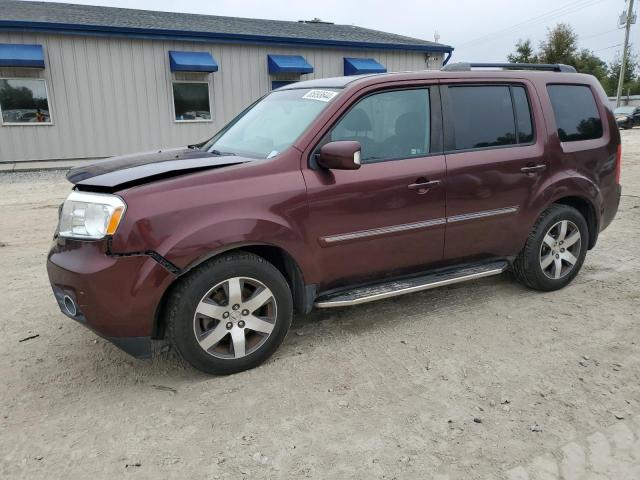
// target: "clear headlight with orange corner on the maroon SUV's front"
[[90, 216]]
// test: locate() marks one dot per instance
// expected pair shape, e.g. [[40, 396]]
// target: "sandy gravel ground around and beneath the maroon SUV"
[[476, 381]]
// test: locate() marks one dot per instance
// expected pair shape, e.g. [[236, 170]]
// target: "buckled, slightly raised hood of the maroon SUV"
[[129, 170]]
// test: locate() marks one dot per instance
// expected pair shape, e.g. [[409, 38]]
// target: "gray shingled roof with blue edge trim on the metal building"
[[114, 21]]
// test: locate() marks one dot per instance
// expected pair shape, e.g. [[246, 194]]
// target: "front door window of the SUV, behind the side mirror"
[[389, 125]]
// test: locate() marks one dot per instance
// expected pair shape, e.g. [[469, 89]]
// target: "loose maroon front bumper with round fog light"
[[116, 297]]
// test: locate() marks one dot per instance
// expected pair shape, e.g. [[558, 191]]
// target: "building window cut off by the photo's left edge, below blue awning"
[[24, 101]]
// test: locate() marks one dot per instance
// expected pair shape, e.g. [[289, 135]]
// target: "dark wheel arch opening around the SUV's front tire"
[[303, 295]]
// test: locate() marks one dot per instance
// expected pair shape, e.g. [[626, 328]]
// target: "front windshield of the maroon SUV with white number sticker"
[[271, 125]]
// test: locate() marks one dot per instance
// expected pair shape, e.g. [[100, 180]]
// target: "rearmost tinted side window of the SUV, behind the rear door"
[[576, 113]]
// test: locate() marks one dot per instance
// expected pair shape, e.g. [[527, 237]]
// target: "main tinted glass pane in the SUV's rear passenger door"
[[482, 116]]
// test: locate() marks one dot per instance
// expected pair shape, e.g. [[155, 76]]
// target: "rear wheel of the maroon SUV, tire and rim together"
[[555, 249]]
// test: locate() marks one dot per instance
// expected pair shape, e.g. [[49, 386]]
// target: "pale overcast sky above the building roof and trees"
[[484, 30]]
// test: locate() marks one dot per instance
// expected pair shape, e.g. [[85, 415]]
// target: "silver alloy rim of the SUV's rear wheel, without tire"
[[560, 249]]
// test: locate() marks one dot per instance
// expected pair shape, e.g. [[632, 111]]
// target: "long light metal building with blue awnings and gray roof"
[[82, 81]]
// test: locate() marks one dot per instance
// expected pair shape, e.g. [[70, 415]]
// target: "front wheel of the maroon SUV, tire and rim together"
[[230, 314]]
